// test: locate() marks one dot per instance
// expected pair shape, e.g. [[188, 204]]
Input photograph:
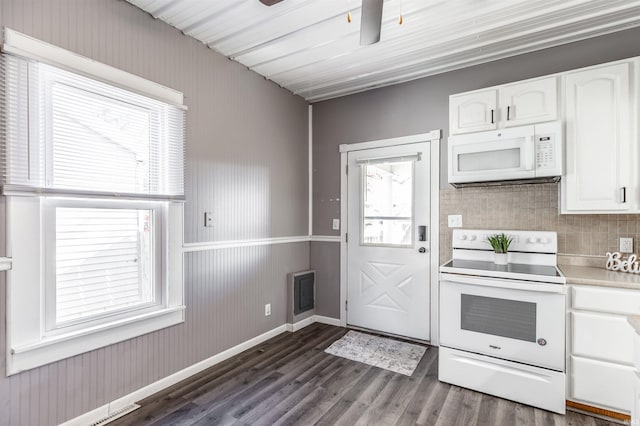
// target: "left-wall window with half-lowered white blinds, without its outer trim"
[[103, 160]]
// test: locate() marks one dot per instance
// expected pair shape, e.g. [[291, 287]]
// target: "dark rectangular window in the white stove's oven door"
[[499, 317]]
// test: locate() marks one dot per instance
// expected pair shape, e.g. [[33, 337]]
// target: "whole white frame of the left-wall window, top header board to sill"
[[28, 345]]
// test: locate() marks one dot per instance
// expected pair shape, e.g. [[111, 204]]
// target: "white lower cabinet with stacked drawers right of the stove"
[[601, 349]]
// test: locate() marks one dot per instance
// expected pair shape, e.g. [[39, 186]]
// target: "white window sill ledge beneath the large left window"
[[55, 348]]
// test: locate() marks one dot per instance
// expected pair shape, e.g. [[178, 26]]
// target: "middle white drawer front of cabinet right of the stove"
[[606, 337]]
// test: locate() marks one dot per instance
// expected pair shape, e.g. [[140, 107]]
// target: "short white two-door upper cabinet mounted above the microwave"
[[528, 102]]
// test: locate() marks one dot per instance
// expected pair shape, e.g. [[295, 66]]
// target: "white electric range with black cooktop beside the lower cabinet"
[[502, 327]]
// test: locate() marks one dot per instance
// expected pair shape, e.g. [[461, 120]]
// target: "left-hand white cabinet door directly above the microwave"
[[473, 112]]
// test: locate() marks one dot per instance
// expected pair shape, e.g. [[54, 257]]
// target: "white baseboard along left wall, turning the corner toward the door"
[[103, 412]]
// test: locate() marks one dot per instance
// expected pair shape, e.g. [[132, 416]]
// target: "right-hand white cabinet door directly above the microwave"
[[530, 102]]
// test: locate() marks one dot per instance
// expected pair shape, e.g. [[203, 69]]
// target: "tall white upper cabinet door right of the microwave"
[[599, 144]]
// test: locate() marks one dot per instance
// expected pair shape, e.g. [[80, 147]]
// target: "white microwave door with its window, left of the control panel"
[[490, 156]]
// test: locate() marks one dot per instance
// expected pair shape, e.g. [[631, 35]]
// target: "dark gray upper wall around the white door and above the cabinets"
[[423, 105]]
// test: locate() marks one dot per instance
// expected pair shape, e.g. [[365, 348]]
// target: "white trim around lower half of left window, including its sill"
[[27, 344]]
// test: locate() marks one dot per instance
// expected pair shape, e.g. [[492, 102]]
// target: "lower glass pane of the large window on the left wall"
[[103, 261]]
